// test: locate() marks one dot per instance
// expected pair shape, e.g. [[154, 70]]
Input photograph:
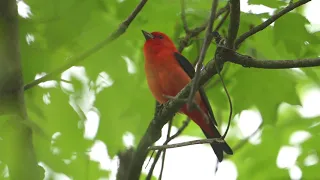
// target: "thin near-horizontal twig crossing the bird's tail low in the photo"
[[188, 143]]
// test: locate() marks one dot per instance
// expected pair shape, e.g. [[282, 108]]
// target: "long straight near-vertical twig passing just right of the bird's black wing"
[[206, 43]]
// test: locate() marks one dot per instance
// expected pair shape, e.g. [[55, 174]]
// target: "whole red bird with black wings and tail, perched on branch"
[[168, 72]]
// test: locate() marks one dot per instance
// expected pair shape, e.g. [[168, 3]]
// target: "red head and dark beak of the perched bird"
[[157, 41]]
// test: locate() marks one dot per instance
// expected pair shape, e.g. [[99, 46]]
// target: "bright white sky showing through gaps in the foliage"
[[198, 161]]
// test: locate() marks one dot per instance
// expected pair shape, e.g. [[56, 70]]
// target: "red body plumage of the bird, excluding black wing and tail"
[[166, 77]]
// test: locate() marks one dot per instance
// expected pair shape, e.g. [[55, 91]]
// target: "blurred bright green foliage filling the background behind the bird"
[[62, 29]]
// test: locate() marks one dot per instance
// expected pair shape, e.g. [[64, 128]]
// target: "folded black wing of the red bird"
[[189, 69]]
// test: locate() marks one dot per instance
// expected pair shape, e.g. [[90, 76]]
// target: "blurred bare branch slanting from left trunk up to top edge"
[[76, 59]]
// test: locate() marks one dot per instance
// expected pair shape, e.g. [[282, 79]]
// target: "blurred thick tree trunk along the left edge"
[[16, 144]]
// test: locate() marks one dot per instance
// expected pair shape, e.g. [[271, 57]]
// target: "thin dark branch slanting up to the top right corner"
[[272, 19]]
